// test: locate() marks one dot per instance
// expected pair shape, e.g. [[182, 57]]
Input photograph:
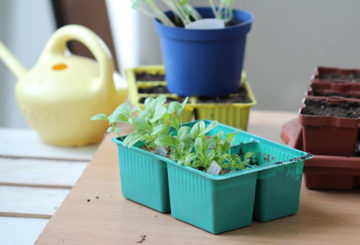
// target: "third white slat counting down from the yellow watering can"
[[30, 202]]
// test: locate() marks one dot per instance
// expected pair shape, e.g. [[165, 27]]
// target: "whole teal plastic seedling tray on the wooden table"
[[216, 203]]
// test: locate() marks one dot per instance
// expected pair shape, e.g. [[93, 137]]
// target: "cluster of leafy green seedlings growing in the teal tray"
[[159, 125]]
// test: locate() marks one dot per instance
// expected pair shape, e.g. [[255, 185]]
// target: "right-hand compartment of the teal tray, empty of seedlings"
[[279, 176]]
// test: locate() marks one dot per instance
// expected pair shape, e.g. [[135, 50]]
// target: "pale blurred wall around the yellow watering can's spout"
[[25, 26]]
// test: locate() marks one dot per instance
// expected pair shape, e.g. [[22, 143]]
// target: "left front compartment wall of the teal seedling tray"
[[143, 177]]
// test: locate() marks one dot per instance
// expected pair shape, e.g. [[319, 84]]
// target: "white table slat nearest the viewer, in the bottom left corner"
[[20, 231]]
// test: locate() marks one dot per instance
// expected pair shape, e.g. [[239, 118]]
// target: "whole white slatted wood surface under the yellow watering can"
[[35, 178]]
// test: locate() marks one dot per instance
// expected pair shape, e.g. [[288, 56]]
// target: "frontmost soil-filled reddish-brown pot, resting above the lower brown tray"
[[329, 135]]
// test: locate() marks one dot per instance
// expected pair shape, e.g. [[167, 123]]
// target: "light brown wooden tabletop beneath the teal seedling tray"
[[96, 213]]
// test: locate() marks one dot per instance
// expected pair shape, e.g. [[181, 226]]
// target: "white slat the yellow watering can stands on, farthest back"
[[26, 143]]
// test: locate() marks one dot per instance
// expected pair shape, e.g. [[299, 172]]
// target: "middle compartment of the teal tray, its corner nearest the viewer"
[[214, 203]]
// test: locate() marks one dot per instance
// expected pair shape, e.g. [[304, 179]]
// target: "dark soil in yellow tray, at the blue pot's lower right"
[[240, 96]]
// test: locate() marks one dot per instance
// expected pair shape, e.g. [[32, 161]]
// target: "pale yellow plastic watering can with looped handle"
[[60, 94]]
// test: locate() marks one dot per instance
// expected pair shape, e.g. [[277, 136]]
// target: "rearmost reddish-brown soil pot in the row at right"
[[342, 82]]
